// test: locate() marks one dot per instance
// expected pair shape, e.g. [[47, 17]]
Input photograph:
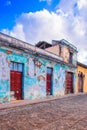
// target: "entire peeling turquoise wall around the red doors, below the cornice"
[[34, 75]]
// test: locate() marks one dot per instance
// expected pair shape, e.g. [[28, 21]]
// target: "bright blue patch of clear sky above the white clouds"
[[10, 10]]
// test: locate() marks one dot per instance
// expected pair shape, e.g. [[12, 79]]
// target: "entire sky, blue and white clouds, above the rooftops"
[[46, 20]]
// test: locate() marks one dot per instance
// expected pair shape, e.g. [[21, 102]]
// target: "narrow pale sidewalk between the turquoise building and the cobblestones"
[[19, 103]]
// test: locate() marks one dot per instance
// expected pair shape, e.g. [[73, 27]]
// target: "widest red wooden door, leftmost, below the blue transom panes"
[[16, 84]]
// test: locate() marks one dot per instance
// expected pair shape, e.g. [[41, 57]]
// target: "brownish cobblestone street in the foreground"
[[69, 113]]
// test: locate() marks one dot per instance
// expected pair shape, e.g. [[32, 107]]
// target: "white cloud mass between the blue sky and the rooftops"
[[67, 22]]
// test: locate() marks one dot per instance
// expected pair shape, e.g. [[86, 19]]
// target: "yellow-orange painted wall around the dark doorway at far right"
[[84, 71]]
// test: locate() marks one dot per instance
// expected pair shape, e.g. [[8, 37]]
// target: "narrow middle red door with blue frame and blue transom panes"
[[49, 81]]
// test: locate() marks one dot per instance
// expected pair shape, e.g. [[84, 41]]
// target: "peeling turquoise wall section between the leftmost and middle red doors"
[[35, 79]]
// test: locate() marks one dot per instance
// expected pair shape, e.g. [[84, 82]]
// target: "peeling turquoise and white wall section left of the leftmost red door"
[[4, 77]]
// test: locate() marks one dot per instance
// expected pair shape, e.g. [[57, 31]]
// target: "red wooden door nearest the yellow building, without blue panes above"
[[69, 82]]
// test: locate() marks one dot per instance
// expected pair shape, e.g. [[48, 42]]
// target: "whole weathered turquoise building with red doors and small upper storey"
[[29, 72]]
